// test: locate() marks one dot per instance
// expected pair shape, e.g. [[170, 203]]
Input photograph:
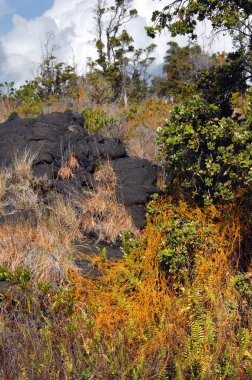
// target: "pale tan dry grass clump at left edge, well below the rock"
[[38, 249]]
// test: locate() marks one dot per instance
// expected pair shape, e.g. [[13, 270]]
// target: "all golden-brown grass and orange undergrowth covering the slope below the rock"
[[136, 320]]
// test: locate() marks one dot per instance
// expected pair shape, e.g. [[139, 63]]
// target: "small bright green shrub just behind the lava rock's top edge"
[[96, 119]]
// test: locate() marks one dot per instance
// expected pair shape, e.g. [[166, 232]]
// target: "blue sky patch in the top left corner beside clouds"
[[28, 9]]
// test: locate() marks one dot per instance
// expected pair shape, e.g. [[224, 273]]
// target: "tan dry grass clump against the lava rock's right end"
[[102, 215]]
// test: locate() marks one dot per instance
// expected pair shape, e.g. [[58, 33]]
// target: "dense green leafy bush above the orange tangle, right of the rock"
[[206, 156]]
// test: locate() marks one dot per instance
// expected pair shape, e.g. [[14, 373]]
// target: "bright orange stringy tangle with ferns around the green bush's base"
[[146, 325]]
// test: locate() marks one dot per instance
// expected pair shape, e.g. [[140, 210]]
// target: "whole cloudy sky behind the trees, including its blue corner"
[[24, 25]]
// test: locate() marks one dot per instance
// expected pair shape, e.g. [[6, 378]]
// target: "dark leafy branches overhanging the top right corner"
[[233, 17]]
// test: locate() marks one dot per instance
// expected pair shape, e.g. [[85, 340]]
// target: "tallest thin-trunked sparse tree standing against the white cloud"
[[113, 43]]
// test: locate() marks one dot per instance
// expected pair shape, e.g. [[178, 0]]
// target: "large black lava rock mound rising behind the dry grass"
[[53, 138]]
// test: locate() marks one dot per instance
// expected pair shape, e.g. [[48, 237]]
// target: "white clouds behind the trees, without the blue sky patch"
[[71, 22]]
